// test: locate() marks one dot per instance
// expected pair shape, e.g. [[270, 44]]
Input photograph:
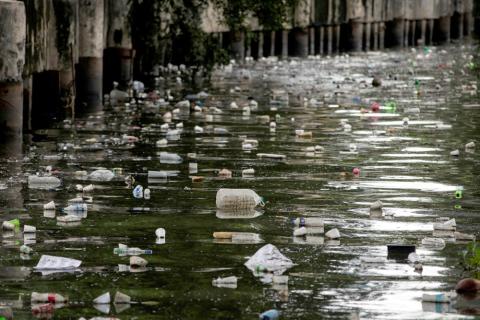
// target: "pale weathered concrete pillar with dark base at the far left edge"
[[12, 59]]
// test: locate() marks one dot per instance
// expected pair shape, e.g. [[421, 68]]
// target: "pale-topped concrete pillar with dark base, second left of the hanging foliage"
[[90, 62]]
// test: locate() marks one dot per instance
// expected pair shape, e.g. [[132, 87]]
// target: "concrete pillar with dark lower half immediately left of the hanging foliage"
[[118, 56]]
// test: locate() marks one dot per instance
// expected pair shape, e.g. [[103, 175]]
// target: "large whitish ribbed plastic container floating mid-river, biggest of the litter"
[[237, 199]]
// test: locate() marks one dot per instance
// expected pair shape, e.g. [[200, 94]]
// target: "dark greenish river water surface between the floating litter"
[[405, 163]]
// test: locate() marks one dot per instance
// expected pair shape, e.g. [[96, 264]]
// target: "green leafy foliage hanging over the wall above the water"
[[168, 31]]
